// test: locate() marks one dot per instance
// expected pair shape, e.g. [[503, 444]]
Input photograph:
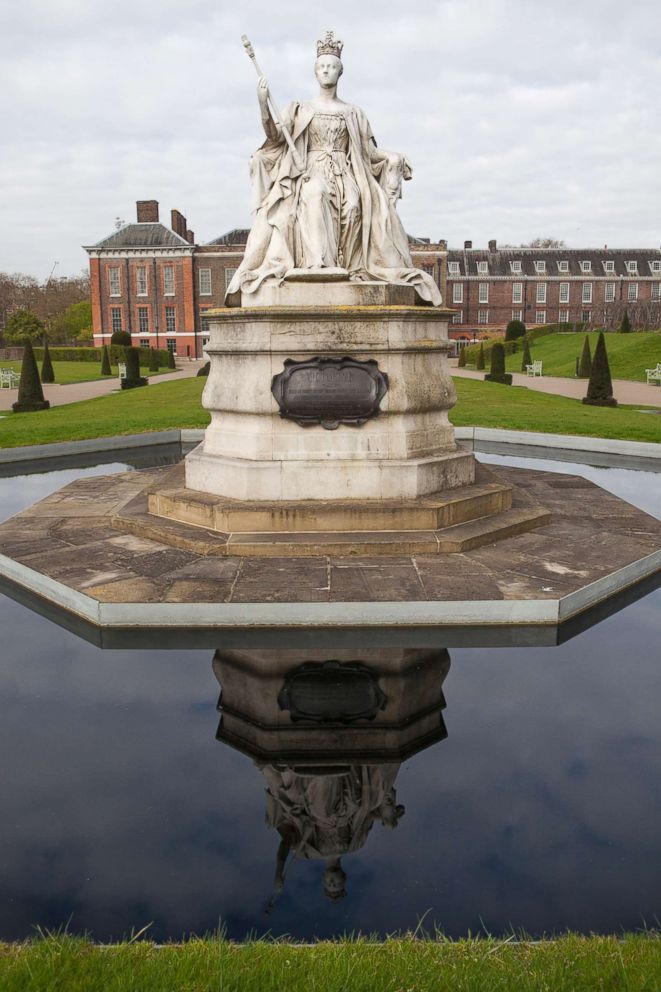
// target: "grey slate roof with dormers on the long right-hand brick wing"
[[498, 262]]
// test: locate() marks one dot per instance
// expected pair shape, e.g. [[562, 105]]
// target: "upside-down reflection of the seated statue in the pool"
[[327, 814]]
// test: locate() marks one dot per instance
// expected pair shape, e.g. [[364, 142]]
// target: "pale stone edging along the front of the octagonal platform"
[[358, 614]]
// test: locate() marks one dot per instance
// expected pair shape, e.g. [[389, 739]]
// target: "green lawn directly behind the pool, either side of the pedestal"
[[177, 403]]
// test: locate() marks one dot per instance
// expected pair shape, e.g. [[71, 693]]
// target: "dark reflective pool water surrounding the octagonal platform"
[[540, 810]]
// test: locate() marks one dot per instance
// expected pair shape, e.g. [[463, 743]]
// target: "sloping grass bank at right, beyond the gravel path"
[[628, 354]]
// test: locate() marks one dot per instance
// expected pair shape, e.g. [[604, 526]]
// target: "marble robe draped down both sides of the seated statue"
[[273, 246]]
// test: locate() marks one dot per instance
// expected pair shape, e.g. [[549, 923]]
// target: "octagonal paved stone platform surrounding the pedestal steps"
[[65, 555]]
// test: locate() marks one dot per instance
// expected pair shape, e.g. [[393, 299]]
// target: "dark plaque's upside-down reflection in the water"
[[331, 693]]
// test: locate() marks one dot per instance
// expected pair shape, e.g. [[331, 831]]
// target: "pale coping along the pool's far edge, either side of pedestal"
[[530, 439]]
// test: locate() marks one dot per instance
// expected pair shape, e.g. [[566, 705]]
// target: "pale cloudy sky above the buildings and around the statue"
[[521, 119]]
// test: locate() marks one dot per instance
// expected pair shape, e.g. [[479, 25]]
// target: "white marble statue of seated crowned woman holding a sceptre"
[[325, 196]]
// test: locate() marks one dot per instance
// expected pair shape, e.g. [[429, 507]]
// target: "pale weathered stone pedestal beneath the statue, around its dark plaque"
[[250, 452]]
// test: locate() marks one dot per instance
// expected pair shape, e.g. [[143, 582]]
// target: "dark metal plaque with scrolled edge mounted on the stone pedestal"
[[329, 391]]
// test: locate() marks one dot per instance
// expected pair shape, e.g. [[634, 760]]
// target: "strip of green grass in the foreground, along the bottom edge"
[[569, 964]]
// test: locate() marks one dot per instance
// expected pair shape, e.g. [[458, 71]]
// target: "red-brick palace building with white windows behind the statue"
[[156, 282]]
